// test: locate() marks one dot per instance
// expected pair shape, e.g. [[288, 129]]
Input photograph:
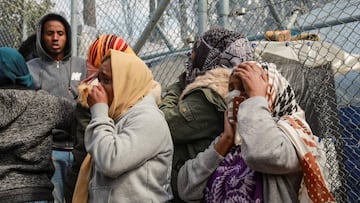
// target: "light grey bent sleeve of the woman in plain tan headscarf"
[[118, 151]]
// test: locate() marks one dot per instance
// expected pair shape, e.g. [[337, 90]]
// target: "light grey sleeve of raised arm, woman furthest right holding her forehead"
[[265, 148]]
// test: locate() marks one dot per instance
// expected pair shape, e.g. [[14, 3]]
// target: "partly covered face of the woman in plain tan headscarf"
[[105, 79]]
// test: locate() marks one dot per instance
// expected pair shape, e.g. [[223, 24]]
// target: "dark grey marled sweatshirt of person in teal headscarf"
[[26, 120]]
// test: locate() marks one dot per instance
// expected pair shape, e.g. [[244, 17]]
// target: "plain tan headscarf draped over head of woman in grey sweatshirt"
[[132, 80]]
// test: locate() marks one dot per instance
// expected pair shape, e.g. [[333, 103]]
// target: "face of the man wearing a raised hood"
[[54, 38]]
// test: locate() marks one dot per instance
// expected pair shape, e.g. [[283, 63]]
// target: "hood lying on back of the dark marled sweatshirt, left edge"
[[13, 103]]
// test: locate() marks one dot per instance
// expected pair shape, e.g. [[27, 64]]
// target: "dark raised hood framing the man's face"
[[39, 45]]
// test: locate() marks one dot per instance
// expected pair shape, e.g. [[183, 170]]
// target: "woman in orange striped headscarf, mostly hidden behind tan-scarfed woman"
[[77, 184]]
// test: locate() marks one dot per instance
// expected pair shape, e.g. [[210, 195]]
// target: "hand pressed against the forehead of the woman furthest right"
[[254, 78]]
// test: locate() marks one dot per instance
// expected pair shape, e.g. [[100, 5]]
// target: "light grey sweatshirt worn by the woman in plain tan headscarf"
[[132, 155]]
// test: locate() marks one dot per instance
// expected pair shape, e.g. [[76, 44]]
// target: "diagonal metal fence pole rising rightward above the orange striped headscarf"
[[151, 25]]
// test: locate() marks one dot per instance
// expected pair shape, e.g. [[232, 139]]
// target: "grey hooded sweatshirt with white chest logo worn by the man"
[[59, 78]]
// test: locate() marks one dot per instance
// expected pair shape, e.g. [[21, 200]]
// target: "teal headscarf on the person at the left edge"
[[13, 68]]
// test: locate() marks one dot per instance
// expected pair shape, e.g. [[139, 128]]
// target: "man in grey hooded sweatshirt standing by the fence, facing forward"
[[59, 73]]
